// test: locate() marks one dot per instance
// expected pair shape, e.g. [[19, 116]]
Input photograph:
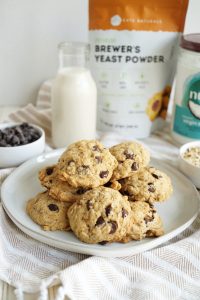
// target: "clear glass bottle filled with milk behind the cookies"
[[74, 96]]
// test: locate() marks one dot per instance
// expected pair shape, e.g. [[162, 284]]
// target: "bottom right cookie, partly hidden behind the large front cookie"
[[145, 222]]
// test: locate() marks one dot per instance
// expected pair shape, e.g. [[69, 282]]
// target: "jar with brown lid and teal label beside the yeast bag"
[[186, 114]]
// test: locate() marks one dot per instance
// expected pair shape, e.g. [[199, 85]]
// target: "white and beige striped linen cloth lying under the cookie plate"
[[170, 271]]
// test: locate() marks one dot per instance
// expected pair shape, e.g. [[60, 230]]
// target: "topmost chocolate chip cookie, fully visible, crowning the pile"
[[86, 164]]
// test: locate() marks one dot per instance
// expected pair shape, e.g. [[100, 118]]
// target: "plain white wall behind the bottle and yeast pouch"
[[30, 32]]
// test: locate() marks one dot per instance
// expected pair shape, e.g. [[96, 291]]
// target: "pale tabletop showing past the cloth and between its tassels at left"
[[6, 290]]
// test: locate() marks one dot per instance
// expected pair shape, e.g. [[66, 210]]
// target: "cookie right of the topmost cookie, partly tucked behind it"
[[131, 157]]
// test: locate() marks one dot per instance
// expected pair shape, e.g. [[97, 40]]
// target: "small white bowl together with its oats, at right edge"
[[189, 161]]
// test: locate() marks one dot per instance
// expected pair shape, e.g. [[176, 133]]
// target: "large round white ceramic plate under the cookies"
[[177, 213]]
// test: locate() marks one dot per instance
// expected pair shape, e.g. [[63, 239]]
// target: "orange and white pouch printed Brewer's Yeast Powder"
[[133, 56]]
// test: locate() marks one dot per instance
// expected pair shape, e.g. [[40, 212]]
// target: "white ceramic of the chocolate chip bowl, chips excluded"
[[14, 156]]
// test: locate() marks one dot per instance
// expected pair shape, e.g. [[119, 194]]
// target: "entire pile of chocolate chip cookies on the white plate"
[[102, 195]]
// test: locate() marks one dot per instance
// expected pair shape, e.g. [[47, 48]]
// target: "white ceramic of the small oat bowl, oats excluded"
[[191, 171]]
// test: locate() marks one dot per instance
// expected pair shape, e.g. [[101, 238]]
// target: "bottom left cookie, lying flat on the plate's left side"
[[49, 213]]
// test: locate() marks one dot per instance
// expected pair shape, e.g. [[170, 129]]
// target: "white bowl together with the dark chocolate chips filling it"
[[19, 142]]
